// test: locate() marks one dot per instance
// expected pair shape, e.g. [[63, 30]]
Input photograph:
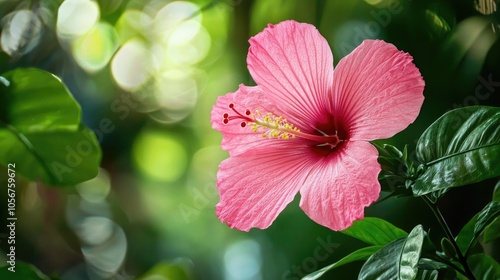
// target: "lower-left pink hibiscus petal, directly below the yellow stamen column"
[[256, 186]]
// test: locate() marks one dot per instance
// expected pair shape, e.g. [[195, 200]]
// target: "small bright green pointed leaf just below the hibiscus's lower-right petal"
[[374, 231]]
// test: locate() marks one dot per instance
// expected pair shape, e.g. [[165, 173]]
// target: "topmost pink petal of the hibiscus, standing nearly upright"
[[293, 65]]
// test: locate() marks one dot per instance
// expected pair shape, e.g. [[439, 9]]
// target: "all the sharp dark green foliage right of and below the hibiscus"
[[460, 148]]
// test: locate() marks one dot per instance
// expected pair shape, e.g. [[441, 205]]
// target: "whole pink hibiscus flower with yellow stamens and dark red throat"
[[305, 127]]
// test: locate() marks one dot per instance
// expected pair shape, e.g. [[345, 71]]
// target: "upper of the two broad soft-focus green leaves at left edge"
[[37, 101]]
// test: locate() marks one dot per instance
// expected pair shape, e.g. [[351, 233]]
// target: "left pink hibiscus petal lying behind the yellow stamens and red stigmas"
[[237, 139]]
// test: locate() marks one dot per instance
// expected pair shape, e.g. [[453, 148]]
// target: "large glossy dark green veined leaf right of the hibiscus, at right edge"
[[460, 148]]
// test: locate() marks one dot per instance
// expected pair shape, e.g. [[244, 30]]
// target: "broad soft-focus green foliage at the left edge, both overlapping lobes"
[[41, 130]]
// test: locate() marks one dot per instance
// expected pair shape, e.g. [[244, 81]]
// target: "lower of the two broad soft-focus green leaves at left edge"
[[57, 158]]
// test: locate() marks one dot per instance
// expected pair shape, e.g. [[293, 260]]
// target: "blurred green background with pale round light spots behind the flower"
[[147, 73]]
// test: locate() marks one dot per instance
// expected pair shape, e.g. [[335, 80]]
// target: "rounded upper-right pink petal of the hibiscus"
[[377, 91]]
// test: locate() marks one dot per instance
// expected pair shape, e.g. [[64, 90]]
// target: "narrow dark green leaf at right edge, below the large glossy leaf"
[[471, 231]]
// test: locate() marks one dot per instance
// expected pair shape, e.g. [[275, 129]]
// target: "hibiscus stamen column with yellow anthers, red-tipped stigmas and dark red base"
[[272, 126]]
